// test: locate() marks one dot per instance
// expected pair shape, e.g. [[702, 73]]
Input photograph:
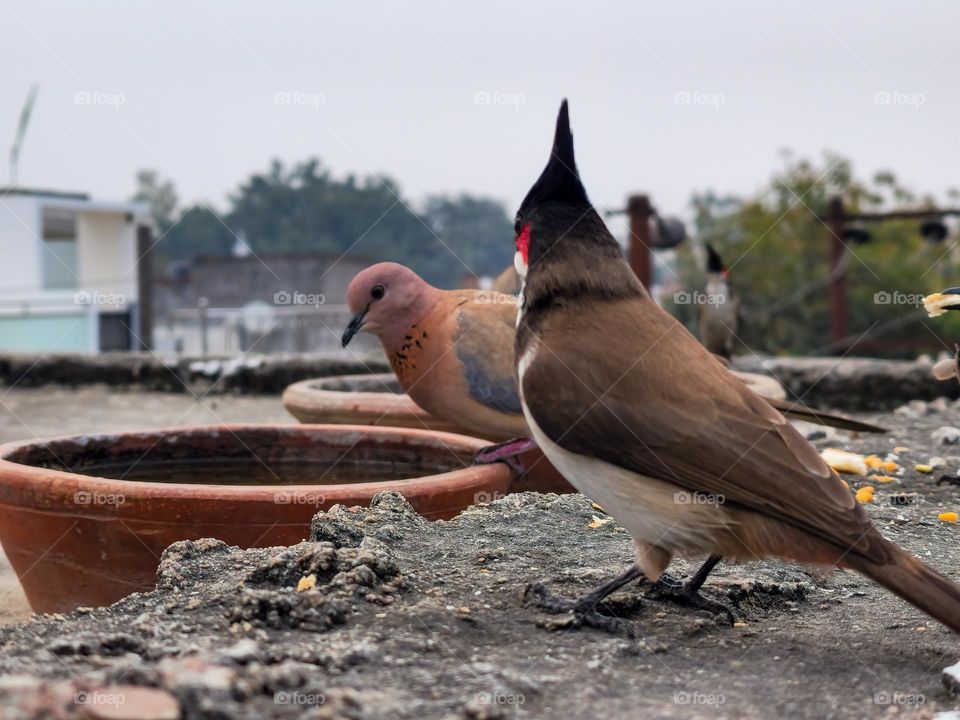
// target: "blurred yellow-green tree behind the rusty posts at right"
[[778, 253]]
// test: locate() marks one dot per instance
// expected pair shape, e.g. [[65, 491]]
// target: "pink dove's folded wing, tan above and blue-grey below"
[[484, 346]]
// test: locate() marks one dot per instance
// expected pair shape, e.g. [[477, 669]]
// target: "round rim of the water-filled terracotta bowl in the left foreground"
[[46, 487]]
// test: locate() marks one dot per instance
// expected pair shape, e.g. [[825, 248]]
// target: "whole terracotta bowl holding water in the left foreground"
[[83, 539]]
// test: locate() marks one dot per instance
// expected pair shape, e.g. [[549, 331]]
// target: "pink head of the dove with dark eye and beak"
[[386, 299]]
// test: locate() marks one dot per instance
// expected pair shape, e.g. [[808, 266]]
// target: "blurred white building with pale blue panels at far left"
[[69, 272]]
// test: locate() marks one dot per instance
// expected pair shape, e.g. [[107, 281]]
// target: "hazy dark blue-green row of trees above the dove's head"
[[304, 208]]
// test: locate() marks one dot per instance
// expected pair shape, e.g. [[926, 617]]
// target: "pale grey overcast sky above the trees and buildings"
[[666, 97]]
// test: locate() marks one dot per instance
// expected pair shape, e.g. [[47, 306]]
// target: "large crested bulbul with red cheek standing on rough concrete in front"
[[645, 421]]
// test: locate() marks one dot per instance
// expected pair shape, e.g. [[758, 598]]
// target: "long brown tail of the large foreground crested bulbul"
[[916, 583]]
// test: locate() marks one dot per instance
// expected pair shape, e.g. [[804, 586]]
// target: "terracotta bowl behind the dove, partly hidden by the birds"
[[379, 400]]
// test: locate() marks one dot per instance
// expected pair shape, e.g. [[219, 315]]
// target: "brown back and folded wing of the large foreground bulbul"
[[625, 383]]
